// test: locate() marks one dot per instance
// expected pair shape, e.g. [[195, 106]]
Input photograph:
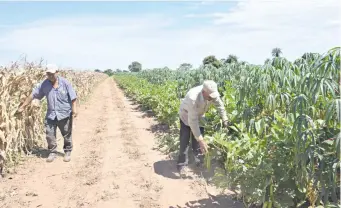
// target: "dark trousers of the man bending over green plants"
[[185, 135]]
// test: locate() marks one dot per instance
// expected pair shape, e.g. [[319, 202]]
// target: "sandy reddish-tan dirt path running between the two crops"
[[113, 165]]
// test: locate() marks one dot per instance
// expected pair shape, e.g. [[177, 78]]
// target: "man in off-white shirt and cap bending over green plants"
[[192, 109]]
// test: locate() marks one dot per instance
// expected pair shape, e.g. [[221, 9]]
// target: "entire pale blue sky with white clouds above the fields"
[[112, 34]]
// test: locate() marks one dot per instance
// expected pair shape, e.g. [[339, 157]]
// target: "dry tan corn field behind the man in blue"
[[20, 134]]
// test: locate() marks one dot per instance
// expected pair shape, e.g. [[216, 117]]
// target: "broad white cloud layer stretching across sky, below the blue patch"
[[250, 30]]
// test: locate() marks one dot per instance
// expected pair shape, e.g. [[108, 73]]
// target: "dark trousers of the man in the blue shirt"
[[65, 127]]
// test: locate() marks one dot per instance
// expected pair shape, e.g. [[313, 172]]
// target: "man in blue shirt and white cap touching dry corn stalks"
[[61, 109]]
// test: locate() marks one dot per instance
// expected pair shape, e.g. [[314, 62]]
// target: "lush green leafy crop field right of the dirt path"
[[284, 147]]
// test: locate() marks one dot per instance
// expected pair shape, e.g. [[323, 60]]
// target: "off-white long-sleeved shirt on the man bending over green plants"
[[193, 108]]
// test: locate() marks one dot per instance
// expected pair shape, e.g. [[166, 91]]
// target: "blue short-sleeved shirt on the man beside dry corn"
[[59, 103]]
